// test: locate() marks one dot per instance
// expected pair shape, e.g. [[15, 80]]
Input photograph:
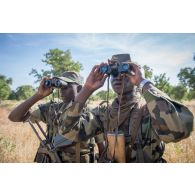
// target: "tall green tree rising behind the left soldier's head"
[[59, 62]]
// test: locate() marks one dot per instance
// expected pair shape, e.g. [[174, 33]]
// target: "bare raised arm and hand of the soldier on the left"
[[20, 113]]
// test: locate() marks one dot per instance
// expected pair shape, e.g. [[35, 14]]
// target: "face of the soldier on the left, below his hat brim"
[[69, 92]]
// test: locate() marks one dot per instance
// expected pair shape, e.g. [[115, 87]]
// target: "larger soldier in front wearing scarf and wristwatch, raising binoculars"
[[148, 117]]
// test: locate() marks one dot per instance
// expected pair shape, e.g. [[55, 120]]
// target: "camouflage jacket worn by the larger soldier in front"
[[164, 120]]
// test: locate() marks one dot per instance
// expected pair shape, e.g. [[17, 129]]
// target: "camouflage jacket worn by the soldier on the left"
[[49, 113]]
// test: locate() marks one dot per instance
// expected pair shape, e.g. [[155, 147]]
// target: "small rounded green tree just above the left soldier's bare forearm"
[[24, 92]]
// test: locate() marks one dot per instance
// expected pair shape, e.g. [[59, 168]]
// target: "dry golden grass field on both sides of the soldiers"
[[18, 142]]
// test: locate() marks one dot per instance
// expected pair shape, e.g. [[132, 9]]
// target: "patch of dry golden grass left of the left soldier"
[[18, 142]]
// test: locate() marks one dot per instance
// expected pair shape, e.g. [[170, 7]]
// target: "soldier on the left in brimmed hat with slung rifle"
[[69, 149]]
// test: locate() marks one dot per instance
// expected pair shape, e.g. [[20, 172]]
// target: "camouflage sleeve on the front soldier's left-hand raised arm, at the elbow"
[[85, 124]]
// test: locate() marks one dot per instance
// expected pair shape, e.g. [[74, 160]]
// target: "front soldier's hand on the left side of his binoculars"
[[95, 79]]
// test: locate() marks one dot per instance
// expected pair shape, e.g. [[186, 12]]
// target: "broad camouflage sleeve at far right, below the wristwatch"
[[171, 120]]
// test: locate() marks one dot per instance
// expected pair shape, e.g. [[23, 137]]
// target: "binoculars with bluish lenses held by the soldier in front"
[[115, 69]]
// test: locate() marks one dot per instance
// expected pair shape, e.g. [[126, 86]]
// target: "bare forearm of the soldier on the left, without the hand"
[[20, 112]]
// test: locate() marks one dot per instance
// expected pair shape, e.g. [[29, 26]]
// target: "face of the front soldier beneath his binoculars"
[[116, 83]]
